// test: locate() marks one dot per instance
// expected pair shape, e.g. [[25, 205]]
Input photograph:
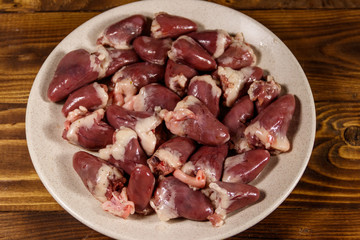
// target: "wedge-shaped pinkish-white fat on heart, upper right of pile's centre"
[[232, 82]]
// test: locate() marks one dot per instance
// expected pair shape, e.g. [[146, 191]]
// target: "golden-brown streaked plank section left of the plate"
[[20, 186]]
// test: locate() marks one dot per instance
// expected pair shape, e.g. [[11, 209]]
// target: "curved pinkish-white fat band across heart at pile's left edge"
[[85, 122]]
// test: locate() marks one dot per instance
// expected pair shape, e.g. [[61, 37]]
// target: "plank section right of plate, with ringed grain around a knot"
[[332, 177]]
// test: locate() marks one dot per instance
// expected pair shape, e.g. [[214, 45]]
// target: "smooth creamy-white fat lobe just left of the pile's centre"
[[144, 128]]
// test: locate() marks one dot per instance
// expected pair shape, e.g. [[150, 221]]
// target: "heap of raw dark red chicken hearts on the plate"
[[177, 120]]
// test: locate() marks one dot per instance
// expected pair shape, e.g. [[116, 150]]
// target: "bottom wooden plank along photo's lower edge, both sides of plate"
[[281, 224]]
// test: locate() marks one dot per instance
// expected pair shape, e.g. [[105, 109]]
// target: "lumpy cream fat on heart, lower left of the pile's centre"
[[123, 136]]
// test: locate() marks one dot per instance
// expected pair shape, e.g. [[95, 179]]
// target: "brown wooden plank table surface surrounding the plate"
[[323, 35]]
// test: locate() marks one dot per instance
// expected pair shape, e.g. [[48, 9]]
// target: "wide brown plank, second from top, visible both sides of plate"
[[326, 43]]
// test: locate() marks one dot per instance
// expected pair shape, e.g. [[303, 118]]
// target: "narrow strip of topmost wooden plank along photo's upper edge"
[[93, 5]]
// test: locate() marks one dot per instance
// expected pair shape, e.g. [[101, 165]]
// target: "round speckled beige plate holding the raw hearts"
[[52, 156]]
